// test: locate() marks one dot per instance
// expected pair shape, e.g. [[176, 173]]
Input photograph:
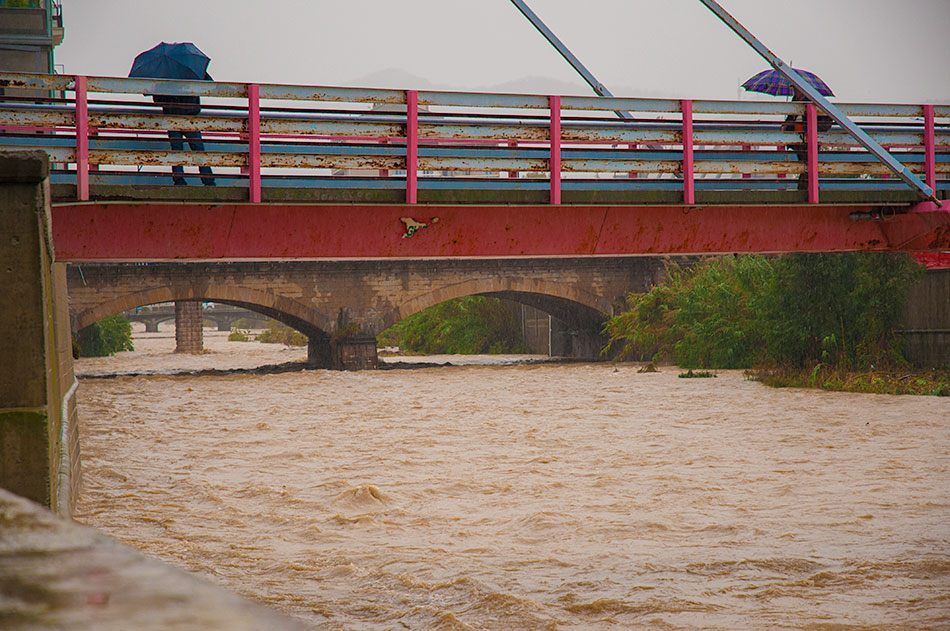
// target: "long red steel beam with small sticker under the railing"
[[117, 231]]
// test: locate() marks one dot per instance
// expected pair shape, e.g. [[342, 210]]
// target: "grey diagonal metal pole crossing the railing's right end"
[[837, 115]]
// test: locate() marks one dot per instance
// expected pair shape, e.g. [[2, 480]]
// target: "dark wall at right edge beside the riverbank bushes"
[[927, 321]]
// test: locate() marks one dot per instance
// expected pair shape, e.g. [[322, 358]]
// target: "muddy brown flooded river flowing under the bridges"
[[541, 496]]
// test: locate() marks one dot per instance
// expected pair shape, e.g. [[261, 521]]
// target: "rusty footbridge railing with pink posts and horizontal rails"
[[107, 130]]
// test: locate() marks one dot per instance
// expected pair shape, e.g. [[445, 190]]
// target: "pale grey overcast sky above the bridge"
[[866, 50]]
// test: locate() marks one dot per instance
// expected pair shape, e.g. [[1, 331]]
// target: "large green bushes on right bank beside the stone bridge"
[[834, 315]]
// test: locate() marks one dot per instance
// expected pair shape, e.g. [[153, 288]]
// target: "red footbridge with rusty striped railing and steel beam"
[[311, 172]]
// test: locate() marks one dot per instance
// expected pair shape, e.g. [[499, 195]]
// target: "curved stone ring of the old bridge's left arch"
[[291, 312]]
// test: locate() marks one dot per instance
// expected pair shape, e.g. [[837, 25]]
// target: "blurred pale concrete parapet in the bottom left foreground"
[[55, 574]]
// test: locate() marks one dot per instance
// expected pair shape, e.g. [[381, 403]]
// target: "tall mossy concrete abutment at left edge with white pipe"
[[39, 446]]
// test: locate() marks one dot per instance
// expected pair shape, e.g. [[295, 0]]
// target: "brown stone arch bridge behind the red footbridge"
[[342, 305]]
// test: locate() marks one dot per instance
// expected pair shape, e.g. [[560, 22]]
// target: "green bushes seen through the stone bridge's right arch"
[[469, 325]]
